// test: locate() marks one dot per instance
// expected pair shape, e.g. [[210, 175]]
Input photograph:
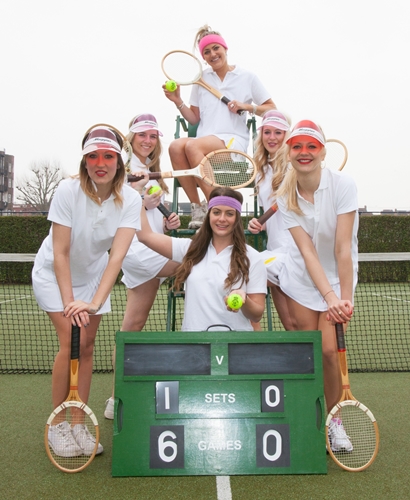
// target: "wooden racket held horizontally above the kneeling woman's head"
[[227, 168]]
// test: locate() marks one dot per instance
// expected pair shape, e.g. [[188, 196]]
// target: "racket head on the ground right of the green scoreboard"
[[362, 430]]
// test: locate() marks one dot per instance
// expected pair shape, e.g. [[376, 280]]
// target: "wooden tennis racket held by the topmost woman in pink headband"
[[186, 69]]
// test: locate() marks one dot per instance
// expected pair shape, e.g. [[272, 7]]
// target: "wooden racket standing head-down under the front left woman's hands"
[[71, 417]]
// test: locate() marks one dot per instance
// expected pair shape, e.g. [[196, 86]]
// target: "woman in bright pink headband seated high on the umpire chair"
[[218, 123]]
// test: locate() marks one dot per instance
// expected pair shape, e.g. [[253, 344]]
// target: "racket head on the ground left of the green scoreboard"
[[72, 412]]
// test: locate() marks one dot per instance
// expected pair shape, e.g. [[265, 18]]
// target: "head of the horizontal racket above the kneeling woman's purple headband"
[[228, 168]]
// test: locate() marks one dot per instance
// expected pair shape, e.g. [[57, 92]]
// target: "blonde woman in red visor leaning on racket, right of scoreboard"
[[320, 209]]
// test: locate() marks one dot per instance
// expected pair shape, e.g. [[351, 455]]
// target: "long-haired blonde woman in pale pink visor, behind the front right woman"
[[271, 160]]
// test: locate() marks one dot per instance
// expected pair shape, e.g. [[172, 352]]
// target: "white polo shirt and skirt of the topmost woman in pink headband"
[[215, 118]]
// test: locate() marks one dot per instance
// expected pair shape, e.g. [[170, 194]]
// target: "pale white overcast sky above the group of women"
[[68, 65]]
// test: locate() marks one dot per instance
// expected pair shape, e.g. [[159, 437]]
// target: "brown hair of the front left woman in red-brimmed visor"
[[87, 184]]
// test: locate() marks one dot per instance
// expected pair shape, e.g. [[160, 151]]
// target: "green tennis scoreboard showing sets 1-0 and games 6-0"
[[218, 403]]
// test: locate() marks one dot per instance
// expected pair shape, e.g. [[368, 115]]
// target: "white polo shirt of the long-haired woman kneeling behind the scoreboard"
[[204, 288]]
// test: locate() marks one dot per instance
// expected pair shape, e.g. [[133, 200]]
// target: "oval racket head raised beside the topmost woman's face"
[[182, 67]]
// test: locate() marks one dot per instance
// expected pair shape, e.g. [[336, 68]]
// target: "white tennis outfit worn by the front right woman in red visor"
[[336, 195]]
